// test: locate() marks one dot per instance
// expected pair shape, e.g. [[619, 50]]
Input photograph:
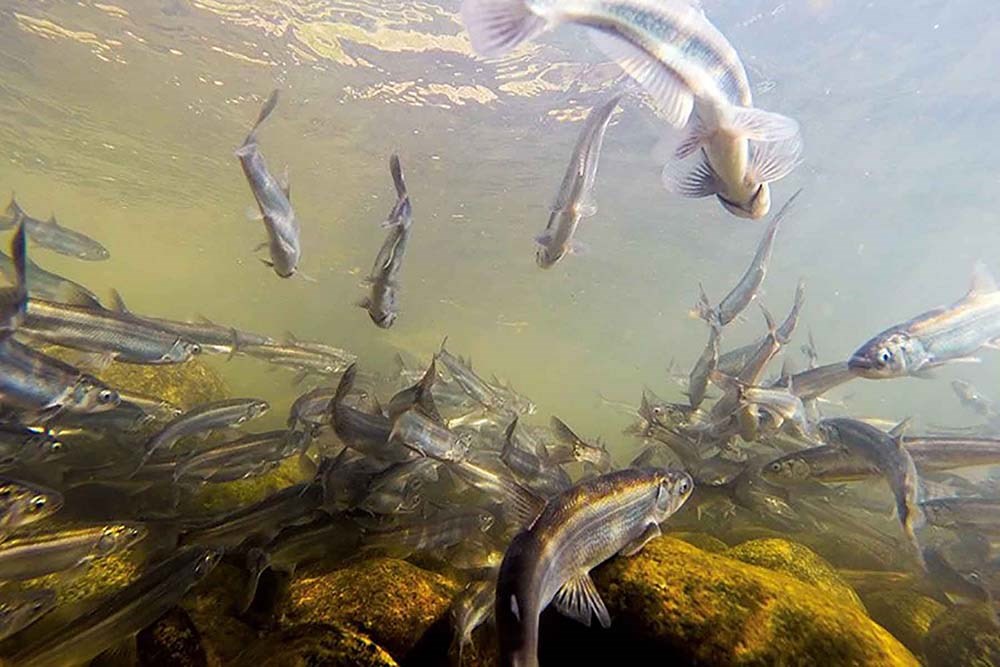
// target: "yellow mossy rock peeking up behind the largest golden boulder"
[[797, 561]]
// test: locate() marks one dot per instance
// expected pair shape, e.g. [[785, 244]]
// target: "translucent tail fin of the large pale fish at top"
[[496, 27]]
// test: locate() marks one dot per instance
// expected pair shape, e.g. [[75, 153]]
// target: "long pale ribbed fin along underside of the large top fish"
[[672, 97]]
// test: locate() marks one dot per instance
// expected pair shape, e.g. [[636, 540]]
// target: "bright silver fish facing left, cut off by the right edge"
[[946, 335]]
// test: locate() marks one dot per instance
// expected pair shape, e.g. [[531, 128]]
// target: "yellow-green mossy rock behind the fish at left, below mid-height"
[[183, 385]]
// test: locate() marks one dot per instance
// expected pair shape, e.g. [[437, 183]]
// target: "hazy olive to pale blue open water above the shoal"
[[122, 119]]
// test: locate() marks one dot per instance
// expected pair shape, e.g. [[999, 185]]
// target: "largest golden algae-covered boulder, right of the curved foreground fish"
[[676, 601]]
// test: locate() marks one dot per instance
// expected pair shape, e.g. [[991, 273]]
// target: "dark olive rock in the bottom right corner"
[[966, 636]]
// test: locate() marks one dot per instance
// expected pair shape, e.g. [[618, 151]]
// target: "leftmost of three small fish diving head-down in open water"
[[273, 199]]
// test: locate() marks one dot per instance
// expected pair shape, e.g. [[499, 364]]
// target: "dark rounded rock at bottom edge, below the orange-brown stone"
[[315, 644]]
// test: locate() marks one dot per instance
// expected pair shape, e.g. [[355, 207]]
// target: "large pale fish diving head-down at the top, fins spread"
[[689, 68]]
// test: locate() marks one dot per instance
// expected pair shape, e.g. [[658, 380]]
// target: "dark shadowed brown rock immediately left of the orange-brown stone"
[[212, 606]]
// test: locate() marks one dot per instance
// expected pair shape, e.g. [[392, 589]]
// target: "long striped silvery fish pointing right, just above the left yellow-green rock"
[[105, 332]]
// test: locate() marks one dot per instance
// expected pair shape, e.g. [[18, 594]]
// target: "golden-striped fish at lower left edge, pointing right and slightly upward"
[[40, 554]]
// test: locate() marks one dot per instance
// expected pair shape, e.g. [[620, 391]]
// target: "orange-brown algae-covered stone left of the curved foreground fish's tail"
[[391, 601]]
